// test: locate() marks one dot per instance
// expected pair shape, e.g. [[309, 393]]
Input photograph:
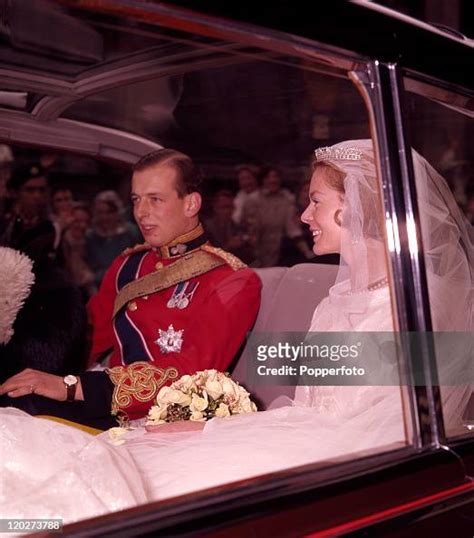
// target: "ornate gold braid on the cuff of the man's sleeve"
[[140, 381]]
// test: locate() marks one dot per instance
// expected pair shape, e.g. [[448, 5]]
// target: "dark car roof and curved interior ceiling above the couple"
[[60, 75]]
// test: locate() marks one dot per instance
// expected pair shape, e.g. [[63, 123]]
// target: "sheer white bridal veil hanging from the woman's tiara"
[[360, 299]]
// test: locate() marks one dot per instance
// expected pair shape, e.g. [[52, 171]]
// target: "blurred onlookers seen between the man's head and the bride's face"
[[260, 223]]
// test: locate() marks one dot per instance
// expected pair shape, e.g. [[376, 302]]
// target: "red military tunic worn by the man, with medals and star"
[[222, 307]]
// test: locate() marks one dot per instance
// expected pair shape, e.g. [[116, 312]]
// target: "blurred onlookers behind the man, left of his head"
[[47, 223]]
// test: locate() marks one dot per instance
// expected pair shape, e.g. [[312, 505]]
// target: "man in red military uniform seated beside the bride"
[[170, 307]]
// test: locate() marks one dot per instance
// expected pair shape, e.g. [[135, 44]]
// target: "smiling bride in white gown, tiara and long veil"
[[322, 424]]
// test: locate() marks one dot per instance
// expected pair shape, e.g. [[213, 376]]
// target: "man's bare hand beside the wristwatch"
[[35, 382]]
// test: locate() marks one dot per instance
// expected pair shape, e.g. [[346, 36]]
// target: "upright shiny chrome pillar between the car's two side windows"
[[382, 85]]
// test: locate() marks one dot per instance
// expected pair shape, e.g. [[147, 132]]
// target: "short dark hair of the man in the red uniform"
[[189, 177]]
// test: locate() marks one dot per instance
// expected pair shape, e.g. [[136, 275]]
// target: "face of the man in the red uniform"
[[160, 213]]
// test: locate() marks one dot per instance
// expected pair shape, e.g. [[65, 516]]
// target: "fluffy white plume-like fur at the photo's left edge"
[[16, 279]]
